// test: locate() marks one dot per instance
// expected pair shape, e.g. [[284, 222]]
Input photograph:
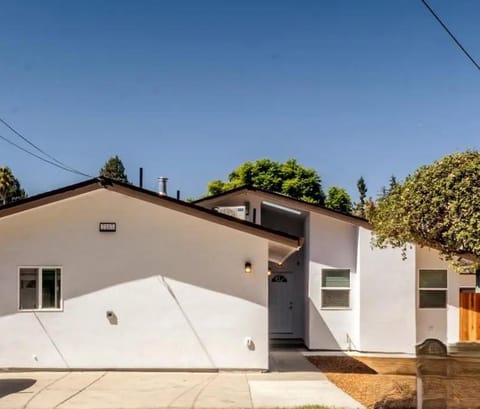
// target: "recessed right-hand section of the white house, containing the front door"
[[340, 293]]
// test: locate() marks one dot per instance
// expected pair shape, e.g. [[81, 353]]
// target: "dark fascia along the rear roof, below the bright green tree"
[[309, 206]]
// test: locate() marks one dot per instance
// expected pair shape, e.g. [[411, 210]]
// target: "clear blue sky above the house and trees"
[[191, 89]]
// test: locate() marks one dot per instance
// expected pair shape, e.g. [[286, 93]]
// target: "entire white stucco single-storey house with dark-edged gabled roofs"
[[107, 275]]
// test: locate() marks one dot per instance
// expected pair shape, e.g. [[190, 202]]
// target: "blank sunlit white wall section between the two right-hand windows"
[[387, 297]]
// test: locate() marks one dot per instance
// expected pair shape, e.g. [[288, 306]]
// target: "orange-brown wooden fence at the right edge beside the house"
[[469, 315]]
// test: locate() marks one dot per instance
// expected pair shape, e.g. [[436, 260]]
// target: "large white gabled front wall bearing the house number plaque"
[[175, 282]]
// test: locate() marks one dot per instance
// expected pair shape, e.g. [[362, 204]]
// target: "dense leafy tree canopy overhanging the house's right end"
[[438, 206]]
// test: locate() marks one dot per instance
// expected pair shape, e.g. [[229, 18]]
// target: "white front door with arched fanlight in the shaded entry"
[[280, 303]]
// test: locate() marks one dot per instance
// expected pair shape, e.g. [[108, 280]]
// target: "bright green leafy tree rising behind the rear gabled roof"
[[288, 178]]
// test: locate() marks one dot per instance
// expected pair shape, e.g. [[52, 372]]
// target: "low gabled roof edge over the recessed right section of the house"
[[286, 201]]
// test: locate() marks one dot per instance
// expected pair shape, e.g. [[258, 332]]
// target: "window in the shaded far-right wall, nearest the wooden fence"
[[432, 288]]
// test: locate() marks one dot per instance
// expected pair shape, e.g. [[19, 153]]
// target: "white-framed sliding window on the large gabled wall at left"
[[39, 288]]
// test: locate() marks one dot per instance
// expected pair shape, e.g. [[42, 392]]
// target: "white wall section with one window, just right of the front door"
[[331, 244]]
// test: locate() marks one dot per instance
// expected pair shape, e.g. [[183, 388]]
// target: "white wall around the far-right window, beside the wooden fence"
[[442, 324]]
